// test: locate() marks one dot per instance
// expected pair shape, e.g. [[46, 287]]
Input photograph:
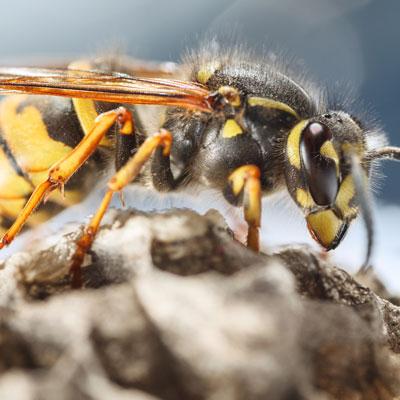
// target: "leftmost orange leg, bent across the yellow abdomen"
[[60, 172]]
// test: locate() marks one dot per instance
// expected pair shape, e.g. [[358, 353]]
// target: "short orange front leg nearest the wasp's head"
[[246, 179]]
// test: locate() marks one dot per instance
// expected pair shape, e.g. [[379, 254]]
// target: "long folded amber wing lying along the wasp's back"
[[104, 86]]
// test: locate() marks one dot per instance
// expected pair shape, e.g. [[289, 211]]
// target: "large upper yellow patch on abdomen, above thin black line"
[[27, 136]]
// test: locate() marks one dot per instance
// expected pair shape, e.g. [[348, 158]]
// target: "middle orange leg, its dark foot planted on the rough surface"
[[122, 178]]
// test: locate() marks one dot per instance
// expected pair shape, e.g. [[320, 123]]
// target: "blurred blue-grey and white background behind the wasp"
[[350, 42]]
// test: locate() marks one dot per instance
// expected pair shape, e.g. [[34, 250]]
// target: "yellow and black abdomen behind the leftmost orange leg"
[[35, 133]]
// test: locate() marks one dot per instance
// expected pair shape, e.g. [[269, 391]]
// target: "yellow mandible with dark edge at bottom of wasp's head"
[[325, 226]]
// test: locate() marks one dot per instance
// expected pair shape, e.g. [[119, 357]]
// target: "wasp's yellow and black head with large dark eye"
[[320, 176]]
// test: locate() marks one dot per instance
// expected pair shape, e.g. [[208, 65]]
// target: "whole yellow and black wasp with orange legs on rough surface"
[[243, 125]]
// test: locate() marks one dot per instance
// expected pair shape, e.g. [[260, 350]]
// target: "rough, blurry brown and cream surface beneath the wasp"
[[173, 308]]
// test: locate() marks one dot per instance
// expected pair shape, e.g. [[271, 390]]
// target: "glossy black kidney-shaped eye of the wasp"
[[320, 171]]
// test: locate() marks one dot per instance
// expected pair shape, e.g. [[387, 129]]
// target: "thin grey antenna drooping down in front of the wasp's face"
[[364, 201]]
